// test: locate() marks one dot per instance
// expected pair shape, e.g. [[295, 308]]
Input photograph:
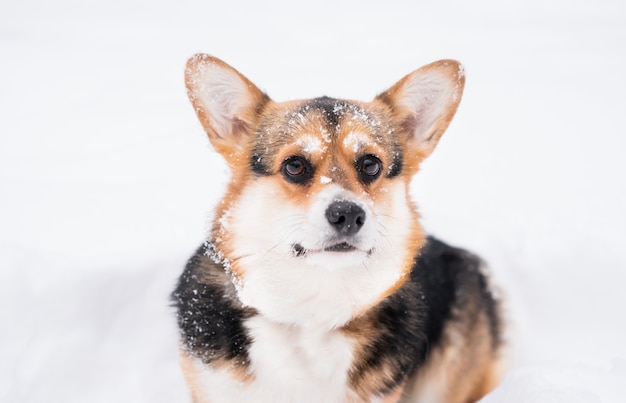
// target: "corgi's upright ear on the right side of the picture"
[[424, 103]]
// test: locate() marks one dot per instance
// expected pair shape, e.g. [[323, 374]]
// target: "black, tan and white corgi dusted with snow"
[[317, 282]]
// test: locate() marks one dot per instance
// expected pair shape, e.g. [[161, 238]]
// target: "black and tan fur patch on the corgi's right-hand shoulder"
[[399, 333]]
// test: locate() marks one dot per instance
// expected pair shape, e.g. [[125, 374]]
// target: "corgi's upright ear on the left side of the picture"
[[226, 102]]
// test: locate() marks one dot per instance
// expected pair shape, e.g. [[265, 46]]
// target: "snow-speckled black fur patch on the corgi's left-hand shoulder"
[[209, 318]]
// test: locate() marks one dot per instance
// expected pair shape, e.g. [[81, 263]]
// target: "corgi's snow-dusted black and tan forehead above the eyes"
[[320, 125]]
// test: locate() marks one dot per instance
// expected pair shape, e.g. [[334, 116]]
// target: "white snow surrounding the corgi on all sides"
[[107, 181]]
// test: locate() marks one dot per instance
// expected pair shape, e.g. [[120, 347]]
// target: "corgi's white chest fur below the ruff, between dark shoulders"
[[289, 364]]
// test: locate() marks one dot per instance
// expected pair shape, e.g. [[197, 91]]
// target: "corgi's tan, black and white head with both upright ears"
[[316, 224]]
